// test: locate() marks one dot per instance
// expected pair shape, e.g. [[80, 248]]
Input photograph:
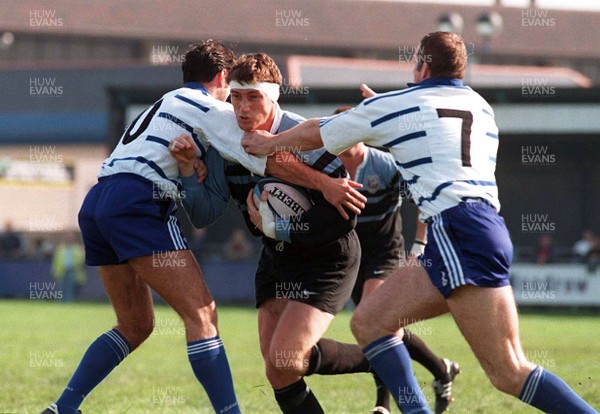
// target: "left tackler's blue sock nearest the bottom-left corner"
[[103, 355]]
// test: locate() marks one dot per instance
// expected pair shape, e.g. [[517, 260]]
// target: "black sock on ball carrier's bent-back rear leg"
[[329, 357]]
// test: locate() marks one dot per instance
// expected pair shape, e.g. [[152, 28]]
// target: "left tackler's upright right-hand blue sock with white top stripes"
[[211, 367]]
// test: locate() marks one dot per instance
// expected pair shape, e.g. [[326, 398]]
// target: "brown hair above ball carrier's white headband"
[[255, 67]]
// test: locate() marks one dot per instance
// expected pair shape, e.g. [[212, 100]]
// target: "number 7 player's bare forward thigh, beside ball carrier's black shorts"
[[405, 297]]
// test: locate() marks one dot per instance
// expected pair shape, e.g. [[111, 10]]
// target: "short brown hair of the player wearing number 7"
[[445, 53]]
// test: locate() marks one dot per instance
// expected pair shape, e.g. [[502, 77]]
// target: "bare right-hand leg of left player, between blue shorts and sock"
[[177, 278]]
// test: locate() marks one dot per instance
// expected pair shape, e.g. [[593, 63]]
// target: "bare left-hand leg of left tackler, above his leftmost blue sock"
[[131, 299]]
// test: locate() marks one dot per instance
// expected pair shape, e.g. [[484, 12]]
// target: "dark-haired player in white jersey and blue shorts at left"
[[127, 221]]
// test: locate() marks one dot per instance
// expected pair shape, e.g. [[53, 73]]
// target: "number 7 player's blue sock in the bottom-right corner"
[[550, 394]]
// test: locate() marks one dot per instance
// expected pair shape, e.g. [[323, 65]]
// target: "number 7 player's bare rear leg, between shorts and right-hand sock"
[[488, 319]]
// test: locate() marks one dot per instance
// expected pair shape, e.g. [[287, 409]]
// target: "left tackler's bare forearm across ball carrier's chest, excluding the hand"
[[288, 167]]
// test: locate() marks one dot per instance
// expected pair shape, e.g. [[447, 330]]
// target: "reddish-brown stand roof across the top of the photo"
[[335, 24]]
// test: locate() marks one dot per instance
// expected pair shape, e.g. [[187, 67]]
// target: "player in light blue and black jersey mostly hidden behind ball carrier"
[[379, 230]]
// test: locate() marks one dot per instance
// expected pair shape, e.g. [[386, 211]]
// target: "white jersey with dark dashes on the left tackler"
[[144, 147]]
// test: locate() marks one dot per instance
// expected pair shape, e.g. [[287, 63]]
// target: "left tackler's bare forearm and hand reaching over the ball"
[[339, 192]]
